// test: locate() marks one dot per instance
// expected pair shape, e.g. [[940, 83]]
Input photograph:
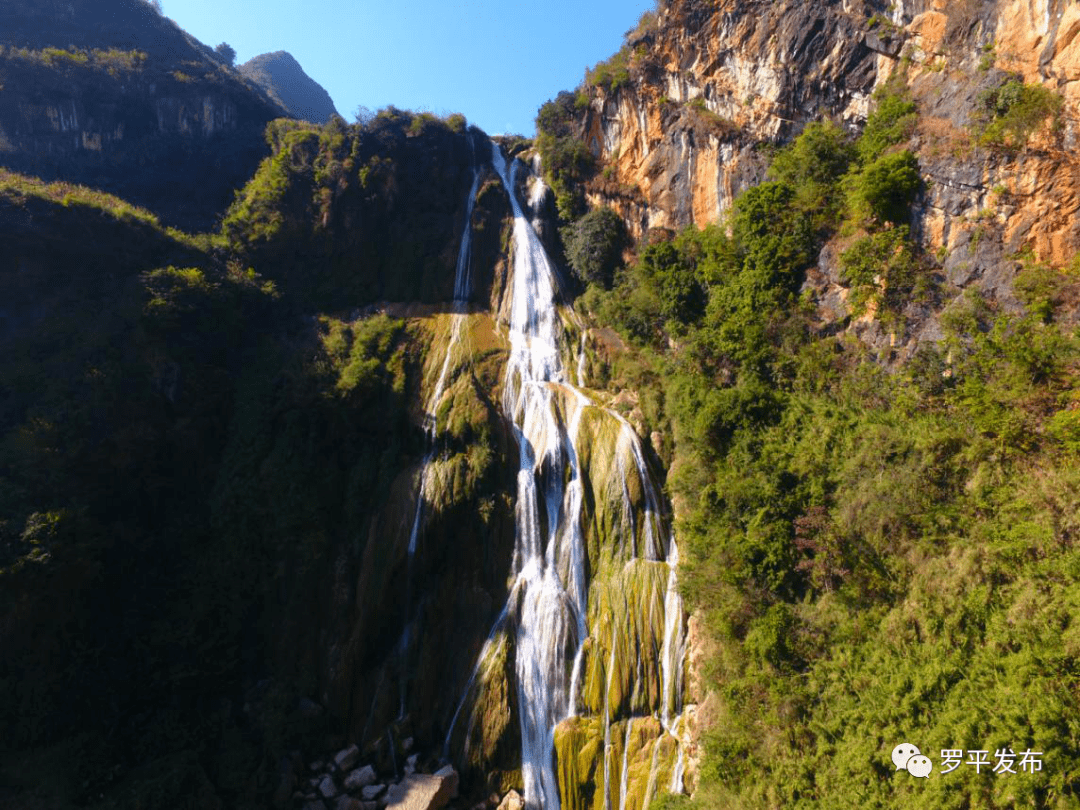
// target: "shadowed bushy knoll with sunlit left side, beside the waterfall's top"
[[317, 178]]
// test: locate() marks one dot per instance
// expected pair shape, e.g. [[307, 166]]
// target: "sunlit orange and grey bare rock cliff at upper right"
[[711, 85]]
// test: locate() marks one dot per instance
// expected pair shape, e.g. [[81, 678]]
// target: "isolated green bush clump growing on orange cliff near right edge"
[[1009, 115]]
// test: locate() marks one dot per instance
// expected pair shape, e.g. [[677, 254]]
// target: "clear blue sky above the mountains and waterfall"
[[495, 61]]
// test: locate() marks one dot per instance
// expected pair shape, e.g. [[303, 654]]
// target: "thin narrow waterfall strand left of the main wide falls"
[[463, 289]]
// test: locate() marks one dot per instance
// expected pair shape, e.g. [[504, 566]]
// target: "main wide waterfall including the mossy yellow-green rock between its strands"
[[550, 610]]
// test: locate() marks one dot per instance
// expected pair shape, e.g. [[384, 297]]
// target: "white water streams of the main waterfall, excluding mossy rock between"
[[548, 607]]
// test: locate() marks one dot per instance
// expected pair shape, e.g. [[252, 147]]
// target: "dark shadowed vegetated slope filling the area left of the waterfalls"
[[182, 416]]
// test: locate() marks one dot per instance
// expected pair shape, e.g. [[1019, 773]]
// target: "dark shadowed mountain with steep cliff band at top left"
[[115, 97]]
